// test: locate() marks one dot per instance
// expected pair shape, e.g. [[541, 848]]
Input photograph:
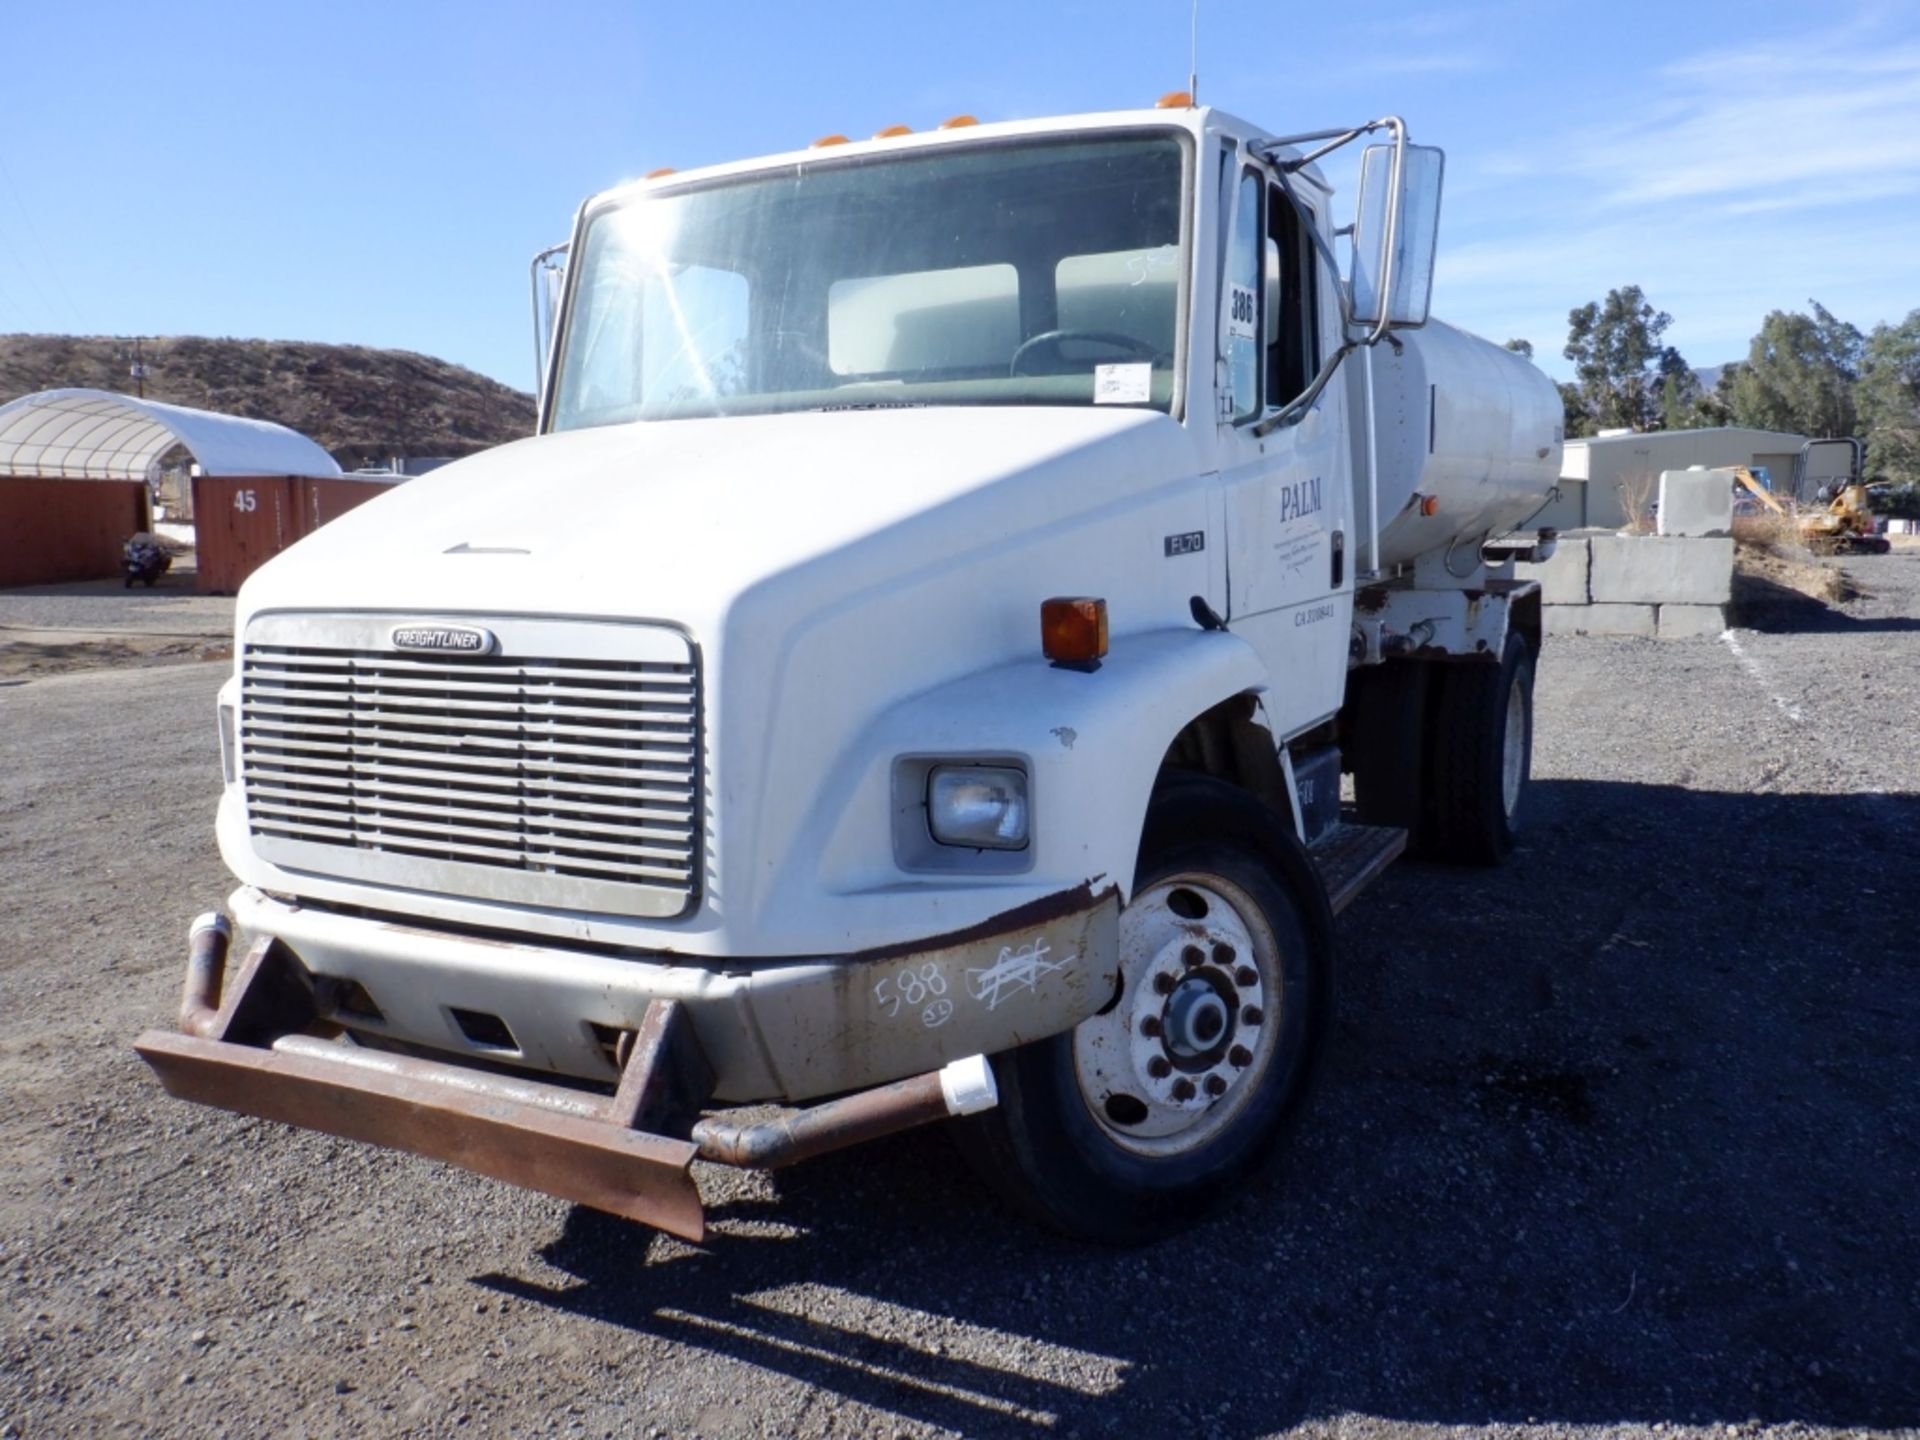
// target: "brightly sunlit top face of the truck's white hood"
[[663, 521]]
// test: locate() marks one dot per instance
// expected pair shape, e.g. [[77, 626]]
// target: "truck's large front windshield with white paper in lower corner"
[[1019, 274]]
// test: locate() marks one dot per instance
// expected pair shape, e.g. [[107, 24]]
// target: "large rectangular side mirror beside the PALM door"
[[1395, 235]]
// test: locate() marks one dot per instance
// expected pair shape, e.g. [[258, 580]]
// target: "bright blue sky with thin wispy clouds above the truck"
[[381, 174]]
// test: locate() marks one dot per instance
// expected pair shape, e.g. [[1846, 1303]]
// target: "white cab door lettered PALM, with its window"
[[1289, 491]]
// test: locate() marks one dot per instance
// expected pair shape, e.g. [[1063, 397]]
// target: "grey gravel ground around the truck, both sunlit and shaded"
[[1621, 1138]]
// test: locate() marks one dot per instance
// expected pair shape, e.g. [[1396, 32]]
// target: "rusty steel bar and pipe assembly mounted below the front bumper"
[[266, 1051]]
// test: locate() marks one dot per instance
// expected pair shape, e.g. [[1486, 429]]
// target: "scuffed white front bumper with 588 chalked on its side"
[[773, 1030]]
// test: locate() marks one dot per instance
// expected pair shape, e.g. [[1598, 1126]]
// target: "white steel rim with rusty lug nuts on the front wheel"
[[1197, 1022]]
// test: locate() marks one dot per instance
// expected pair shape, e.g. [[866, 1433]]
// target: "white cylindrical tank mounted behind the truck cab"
[[1464, 423]]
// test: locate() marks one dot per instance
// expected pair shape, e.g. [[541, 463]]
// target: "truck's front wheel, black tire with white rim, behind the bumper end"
[[1145, 1116]]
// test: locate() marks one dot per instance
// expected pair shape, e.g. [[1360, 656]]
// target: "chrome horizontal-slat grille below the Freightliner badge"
[[523, 779]]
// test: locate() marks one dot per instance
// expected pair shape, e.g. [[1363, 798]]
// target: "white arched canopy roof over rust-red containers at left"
[[95, 435]]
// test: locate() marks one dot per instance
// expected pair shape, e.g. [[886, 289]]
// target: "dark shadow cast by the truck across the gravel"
[[1625, 1132]]
